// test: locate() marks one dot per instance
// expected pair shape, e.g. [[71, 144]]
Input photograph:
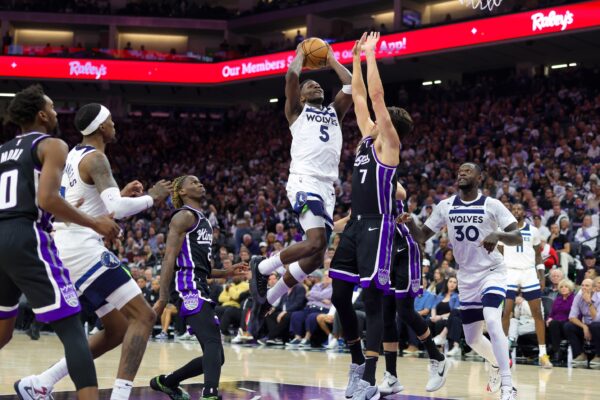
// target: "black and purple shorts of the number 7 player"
[[365, 252]]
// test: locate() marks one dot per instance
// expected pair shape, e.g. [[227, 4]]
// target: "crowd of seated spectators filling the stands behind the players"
[[536, 139]]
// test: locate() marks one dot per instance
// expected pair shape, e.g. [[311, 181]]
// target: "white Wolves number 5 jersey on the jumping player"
[[316, 143]]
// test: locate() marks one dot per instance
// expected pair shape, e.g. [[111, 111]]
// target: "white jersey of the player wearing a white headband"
[[73, 188]]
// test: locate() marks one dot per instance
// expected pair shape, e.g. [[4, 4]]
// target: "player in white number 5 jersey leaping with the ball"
[[316, 149]]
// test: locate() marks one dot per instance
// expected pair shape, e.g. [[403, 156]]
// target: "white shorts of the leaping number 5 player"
[[307, 193]]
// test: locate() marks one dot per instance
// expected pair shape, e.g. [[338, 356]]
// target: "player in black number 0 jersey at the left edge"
[[31, 167]]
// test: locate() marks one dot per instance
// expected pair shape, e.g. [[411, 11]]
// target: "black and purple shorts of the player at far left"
[[29, 264]]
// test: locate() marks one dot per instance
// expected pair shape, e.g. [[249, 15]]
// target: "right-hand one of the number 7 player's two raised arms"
[[387, 133]]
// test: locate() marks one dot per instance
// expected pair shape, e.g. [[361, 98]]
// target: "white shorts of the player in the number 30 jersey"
[[473, 286]]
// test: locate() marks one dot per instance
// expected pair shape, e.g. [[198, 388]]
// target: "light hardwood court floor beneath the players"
[[270, 374]]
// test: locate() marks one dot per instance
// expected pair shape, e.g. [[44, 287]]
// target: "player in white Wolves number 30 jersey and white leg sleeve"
[[473, 223]]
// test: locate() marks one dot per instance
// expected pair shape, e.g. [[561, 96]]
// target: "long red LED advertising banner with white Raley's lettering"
[[523, 25]]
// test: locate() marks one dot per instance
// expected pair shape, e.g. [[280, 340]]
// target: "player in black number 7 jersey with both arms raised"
[[364, 254]]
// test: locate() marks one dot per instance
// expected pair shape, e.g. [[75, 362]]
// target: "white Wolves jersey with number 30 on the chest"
[[468, 224]]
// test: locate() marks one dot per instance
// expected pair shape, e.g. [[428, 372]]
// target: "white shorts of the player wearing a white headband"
[[101, 282]]
